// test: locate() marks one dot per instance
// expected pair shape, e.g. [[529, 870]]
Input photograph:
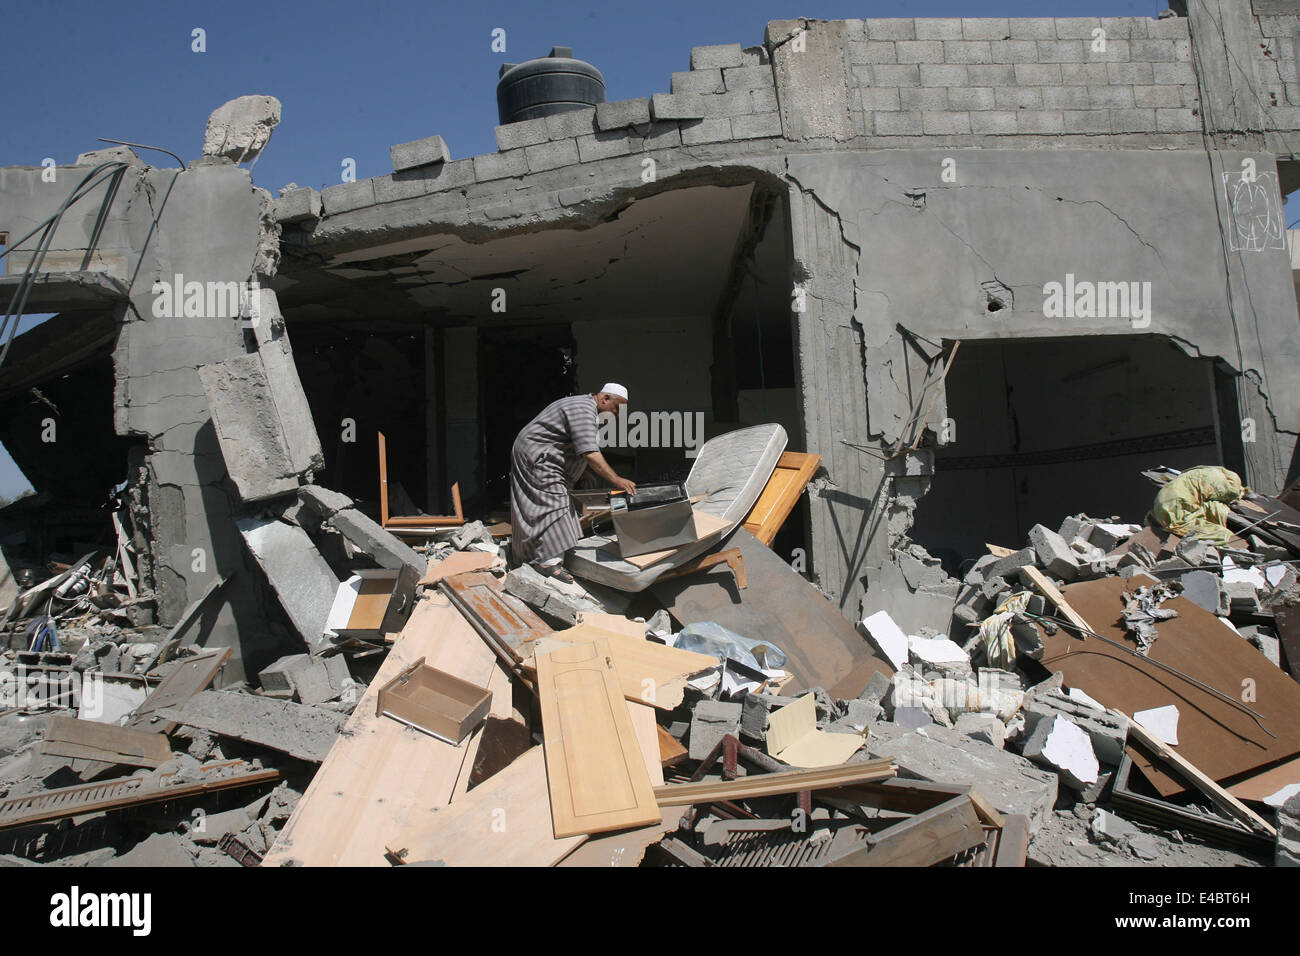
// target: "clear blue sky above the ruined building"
[[356, 77]]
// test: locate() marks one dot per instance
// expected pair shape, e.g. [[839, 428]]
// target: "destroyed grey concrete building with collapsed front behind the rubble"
[[987, 271]]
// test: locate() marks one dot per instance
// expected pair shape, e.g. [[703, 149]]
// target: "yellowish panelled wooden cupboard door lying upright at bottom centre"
[[595, 763]]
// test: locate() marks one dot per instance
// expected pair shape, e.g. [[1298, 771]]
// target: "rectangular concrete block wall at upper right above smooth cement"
[[1003, 77]]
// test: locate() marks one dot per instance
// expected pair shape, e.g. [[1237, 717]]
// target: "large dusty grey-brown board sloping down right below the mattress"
[[779, 607]]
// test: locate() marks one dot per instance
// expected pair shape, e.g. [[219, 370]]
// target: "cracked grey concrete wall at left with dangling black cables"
[[213, 227]]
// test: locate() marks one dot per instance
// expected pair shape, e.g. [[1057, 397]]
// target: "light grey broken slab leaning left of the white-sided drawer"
[[298, 574]]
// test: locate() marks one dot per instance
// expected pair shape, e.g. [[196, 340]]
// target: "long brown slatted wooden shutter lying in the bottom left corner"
[[115, 795]]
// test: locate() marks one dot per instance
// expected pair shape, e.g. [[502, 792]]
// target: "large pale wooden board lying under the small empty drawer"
[[382, 775]]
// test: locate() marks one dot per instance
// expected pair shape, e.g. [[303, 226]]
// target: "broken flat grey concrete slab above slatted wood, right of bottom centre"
[[1009, 782]]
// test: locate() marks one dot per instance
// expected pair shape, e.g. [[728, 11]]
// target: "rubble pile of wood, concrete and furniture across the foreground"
[[1085, 708]]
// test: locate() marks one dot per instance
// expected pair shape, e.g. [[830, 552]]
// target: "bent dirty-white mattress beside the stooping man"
[[731, 470]]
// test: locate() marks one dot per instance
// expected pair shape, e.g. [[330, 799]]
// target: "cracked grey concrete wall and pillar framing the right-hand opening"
[[887, 244]]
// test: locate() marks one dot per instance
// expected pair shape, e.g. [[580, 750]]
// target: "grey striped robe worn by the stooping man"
[[547, 460]]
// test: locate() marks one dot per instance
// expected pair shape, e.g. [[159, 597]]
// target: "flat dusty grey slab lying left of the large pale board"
[[294, 729]]
